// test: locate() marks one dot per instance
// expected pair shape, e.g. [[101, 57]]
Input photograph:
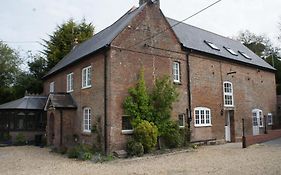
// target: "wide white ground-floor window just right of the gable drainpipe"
[[202, 121]]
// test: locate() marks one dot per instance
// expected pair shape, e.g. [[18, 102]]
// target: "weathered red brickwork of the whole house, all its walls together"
[[253, 88]]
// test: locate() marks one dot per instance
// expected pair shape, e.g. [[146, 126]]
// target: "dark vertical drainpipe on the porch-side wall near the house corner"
[[106, 150]]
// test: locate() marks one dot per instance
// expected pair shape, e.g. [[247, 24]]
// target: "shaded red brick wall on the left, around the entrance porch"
[[91, 97]]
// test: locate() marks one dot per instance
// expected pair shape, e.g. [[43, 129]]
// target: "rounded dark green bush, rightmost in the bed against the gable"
[[172, 135]]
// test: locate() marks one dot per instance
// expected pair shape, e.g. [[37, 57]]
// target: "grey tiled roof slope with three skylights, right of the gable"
[[195, 38]]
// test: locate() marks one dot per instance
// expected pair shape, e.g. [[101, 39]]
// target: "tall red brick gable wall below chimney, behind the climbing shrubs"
[[125, 66]]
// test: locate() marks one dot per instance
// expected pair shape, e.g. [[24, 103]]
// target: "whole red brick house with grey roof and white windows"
[[219, 80]]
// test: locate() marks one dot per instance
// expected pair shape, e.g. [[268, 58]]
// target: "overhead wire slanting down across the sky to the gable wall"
[[159, 33]]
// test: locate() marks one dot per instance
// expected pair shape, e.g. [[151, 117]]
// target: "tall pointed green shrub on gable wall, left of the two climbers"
[[138, 103]]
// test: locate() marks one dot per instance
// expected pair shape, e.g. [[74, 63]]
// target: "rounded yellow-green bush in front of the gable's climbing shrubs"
[[146, 133]]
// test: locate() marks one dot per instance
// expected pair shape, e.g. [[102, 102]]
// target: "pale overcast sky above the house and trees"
[[30, 21]]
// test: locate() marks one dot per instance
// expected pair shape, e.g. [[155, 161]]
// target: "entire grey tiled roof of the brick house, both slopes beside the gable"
[[190, 37]]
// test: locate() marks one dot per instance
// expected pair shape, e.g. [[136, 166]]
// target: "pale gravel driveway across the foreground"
[[220, 159]]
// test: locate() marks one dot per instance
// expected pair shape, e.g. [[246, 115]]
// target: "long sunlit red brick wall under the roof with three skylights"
[[253, 88]]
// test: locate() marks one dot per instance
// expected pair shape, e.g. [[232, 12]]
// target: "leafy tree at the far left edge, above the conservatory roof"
[[9, 69]]
